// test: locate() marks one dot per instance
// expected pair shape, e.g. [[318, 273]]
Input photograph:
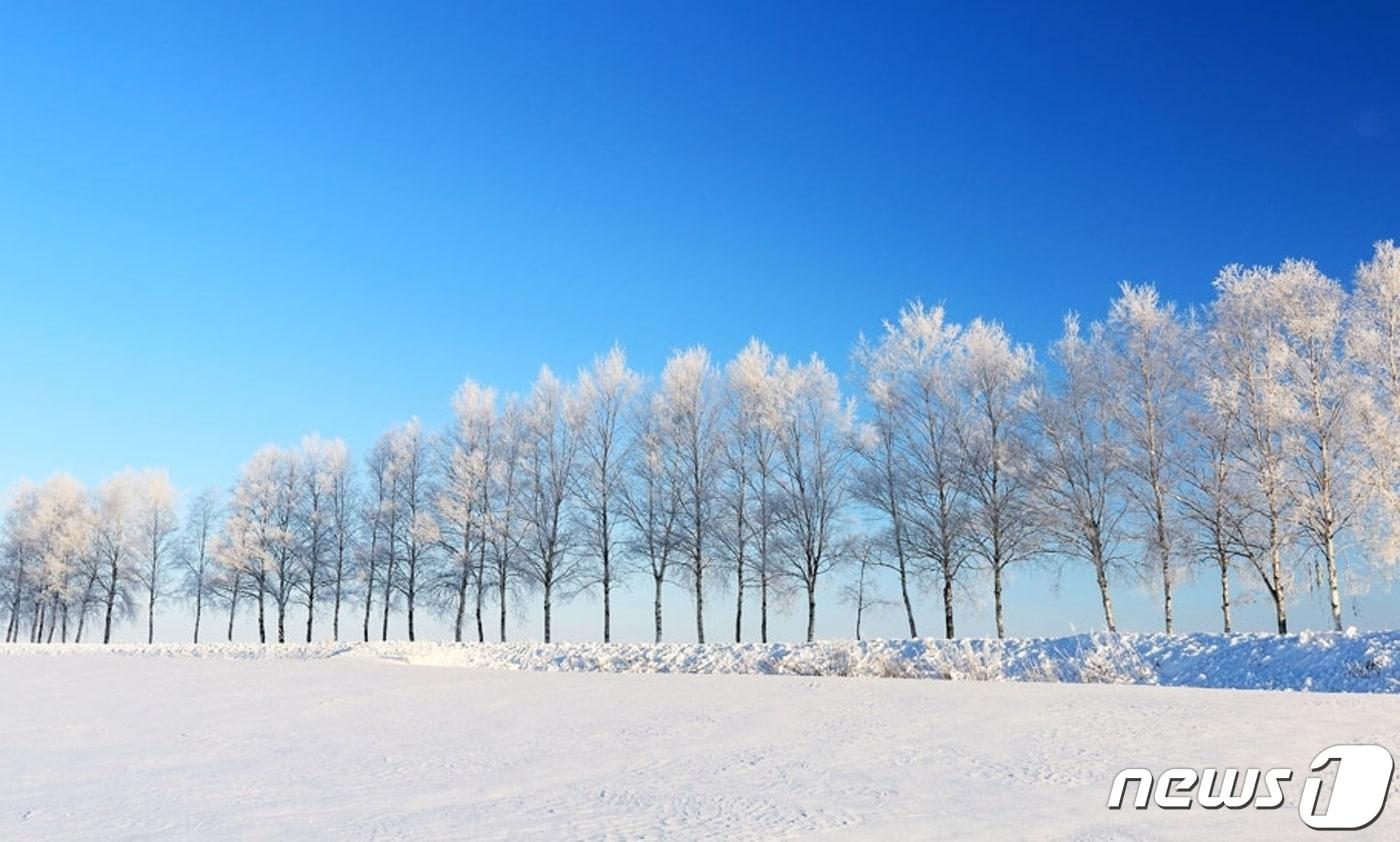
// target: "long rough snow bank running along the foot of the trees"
[[1324, 662]]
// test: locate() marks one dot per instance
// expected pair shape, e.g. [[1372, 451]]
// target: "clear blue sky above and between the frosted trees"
[[223, 225]]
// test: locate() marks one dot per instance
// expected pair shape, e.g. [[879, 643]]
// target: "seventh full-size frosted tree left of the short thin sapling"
[[554, 424]]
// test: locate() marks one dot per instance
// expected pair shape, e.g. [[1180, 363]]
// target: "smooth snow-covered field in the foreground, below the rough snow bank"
[[367, 745]]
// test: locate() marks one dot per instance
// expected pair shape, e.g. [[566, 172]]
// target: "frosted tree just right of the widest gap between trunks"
[[1081, 457]]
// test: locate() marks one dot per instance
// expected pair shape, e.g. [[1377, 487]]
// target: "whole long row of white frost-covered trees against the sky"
[[1249, 438]]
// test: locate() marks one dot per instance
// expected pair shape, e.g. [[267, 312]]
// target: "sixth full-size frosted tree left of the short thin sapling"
[[604, 396]]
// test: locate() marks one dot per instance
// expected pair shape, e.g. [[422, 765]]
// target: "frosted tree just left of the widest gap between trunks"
[[997, 470]]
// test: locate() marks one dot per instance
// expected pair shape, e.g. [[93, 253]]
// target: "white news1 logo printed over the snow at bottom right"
[[1359, 791]]
